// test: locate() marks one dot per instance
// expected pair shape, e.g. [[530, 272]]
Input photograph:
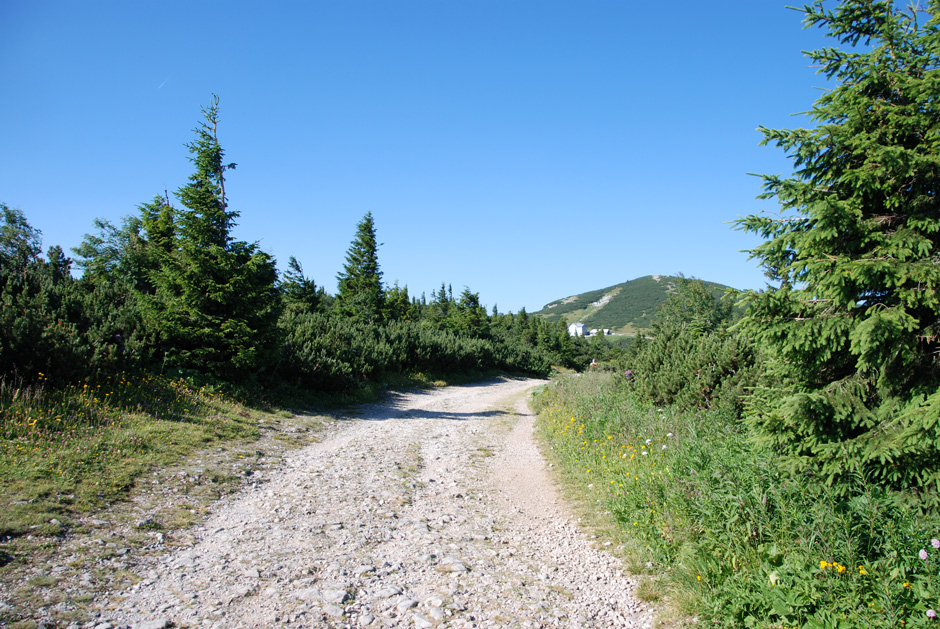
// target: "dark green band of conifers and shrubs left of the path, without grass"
[[171, 291]]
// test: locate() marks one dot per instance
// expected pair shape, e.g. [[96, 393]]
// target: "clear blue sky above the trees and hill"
[[527, 149]]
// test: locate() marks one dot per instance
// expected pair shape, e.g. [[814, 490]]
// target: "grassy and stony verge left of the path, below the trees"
[[93, 476]]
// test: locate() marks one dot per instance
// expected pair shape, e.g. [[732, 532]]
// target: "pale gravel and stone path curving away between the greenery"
[[432, 509]]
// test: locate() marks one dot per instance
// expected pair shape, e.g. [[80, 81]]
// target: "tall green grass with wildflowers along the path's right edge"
[[738, 543]]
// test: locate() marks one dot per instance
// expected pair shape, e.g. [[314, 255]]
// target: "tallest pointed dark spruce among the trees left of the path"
[[216, 305]]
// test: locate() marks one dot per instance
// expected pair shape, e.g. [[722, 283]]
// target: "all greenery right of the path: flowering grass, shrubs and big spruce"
[[780, 467]]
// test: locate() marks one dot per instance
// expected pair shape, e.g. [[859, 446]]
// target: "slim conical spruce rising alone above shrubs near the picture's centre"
[[361, 295]]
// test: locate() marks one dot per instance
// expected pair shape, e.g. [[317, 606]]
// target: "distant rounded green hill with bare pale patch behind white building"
[[624, 308]]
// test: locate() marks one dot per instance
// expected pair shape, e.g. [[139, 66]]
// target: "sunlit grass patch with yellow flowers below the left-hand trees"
[[73, 447]]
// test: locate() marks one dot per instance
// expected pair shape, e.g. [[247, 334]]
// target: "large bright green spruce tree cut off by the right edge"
[[853, 329]]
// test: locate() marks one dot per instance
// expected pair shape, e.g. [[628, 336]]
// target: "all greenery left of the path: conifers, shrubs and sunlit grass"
[[177, 337]]
